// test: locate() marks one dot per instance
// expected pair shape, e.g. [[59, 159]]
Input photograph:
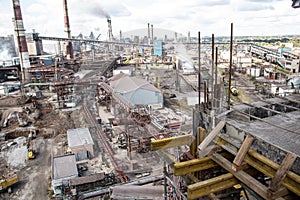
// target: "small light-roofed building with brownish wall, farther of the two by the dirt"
[[81, 143]]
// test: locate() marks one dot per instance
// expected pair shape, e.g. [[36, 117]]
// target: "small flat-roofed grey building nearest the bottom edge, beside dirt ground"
[[63, 169]]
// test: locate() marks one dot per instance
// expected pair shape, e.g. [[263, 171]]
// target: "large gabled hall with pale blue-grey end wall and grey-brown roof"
[[137, 91]]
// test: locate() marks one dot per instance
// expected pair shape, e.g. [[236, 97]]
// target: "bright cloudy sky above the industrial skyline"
[[250, 17]]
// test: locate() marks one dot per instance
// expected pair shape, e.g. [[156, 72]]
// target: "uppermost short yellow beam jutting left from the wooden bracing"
[[171, 142]]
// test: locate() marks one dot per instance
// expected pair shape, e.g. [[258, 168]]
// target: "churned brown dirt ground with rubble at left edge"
[[34, 175]]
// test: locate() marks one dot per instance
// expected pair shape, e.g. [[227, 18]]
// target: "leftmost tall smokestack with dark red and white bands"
[[21, 41]]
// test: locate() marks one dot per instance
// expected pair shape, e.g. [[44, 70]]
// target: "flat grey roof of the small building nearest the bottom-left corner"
[[64, 167]]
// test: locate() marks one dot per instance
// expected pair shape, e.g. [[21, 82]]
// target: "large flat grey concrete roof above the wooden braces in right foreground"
[[280, 130]]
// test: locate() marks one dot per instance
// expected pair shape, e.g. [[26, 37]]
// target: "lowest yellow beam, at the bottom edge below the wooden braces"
[[215, 184]]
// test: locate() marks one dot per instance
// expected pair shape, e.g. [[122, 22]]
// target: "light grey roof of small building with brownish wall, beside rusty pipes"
[[79, 137]]
